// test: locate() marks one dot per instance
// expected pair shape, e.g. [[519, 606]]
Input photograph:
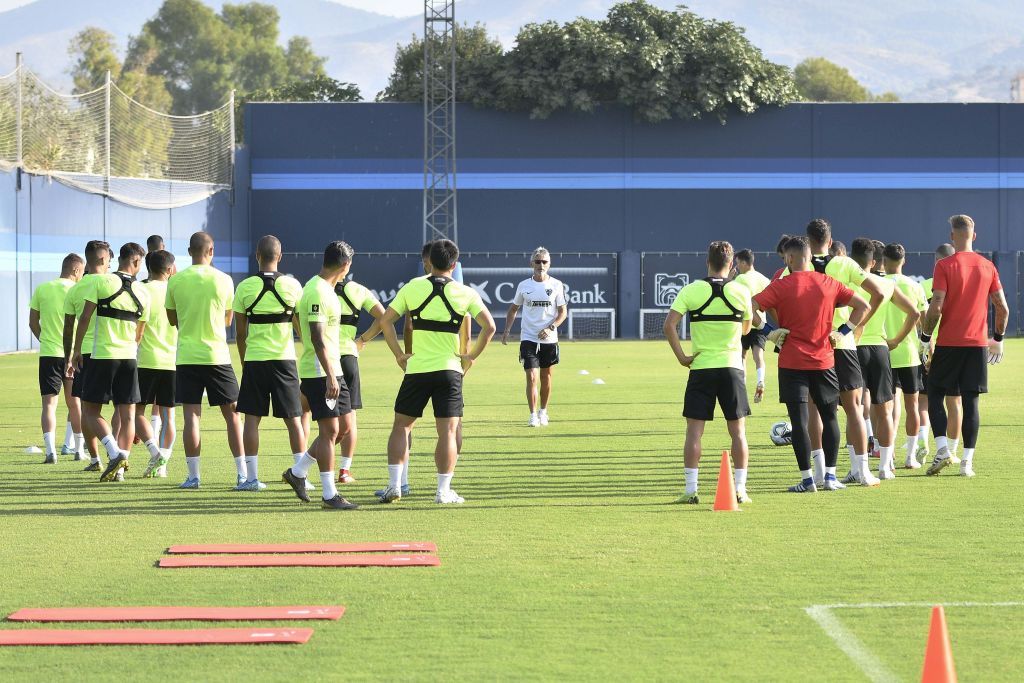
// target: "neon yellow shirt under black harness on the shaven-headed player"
[[269, 341]]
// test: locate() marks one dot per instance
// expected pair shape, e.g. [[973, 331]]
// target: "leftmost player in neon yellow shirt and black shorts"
[[47, 324]]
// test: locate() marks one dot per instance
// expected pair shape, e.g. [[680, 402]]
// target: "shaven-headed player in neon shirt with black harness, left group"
[[265, 320]]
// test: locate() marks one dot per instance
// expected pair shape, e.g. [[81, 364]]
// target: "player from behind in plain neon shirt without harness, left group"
[[199, 305]]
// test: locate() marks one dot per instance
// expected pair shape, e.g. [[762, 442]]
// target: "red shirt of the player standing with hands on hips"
[[805, 303]]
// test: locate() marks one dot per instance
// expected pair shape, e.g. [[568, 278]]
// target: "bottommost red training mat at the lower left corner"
[[154, 636]]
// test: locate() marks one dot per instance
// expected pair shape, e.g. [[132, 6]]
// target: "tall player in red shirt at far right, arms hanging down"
[[964, 286]]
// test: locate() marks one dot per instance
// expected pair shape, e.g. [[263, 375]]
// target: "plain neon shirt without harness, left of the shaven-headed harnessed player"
[[201, 296]]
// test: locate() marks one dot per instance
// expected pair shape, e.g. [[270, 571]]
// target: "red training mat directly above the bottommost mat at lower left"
[[176, 614]]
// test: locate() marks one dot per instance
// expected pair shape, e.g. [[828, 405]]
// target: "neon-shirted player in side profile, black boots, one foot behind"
[[322, 381]]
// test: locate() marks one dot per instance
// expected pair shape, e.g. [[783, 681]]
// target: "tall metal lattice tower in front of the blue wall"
[[440, 206]]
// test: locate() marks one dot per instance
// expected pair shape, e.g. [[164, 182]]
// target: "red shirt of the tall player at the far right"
[[968, 279]]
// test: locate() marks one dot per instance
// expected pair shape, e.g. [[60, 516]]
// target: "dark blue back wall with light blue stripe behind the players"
[[605, 183]]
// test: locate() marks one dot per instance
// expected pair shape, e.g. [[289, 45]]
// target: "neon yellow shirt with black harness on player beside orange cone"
[[716, 341]]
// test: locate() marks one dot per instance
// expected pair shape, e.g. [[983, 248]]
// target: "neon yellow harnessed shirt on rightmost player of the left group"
[[435, 352]]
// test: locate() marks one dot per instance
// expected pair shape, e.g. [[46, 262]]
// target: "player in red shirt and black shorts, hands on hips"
[[803, 304]]
